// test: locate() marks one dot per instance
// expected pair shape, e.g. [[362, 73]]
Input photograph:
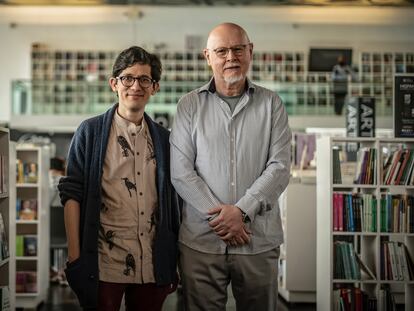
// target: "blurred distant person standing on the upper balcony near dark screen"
[[340, 75]]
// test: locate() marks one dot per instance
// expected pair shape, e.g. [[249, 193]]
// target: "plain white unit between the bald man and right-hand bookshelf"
[[297, 277]]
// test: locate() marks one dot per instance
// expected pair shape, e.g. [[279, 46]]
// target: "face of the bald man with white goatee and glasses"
[[232, 68]]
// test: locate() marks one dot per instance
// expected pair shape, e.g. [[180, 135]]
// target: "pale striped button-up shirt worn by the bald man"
[[240, 158]]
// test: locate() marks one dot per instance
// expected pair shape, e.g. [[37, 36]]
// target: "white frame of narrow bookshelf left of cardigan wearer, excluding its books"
[[38, 228]]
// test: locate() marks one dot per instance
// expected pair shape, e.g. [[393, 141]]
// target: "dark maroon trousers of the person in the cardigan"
[[145, 297]]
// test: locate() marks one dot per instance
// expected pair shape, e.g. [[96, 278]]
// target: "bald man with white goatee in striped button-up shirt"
[[230, 153]]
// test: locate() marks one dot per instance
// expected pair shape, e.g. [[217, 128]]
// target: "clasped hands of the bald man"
[[229, 225]]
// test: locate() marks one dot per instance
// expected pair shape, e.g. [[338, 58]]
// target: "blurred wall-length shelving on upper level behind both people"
[[74, 82]]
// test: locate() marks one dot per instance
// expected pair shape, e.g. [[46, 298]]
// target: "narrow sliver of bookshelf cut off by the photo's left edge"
[[5, 301]]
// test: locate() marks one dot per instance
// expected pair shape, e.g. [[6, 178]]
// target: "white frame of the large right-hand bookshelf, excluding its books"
[[366, 244]]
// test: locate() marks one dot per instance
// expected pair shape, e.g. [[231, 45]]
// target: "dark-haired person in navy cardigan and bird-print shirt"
[[121, 211]]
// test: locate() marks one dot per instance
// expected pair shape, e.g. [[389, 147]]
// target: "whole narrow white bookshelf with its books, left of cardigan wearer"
[[31, 242]]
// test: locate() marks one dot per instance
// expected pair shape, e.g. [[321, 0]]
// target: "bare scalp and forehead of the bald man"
[[229, 33]]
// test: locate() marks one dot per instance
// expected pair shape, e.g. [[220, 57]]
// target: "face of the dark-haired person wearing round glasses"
[[135, 97]]
